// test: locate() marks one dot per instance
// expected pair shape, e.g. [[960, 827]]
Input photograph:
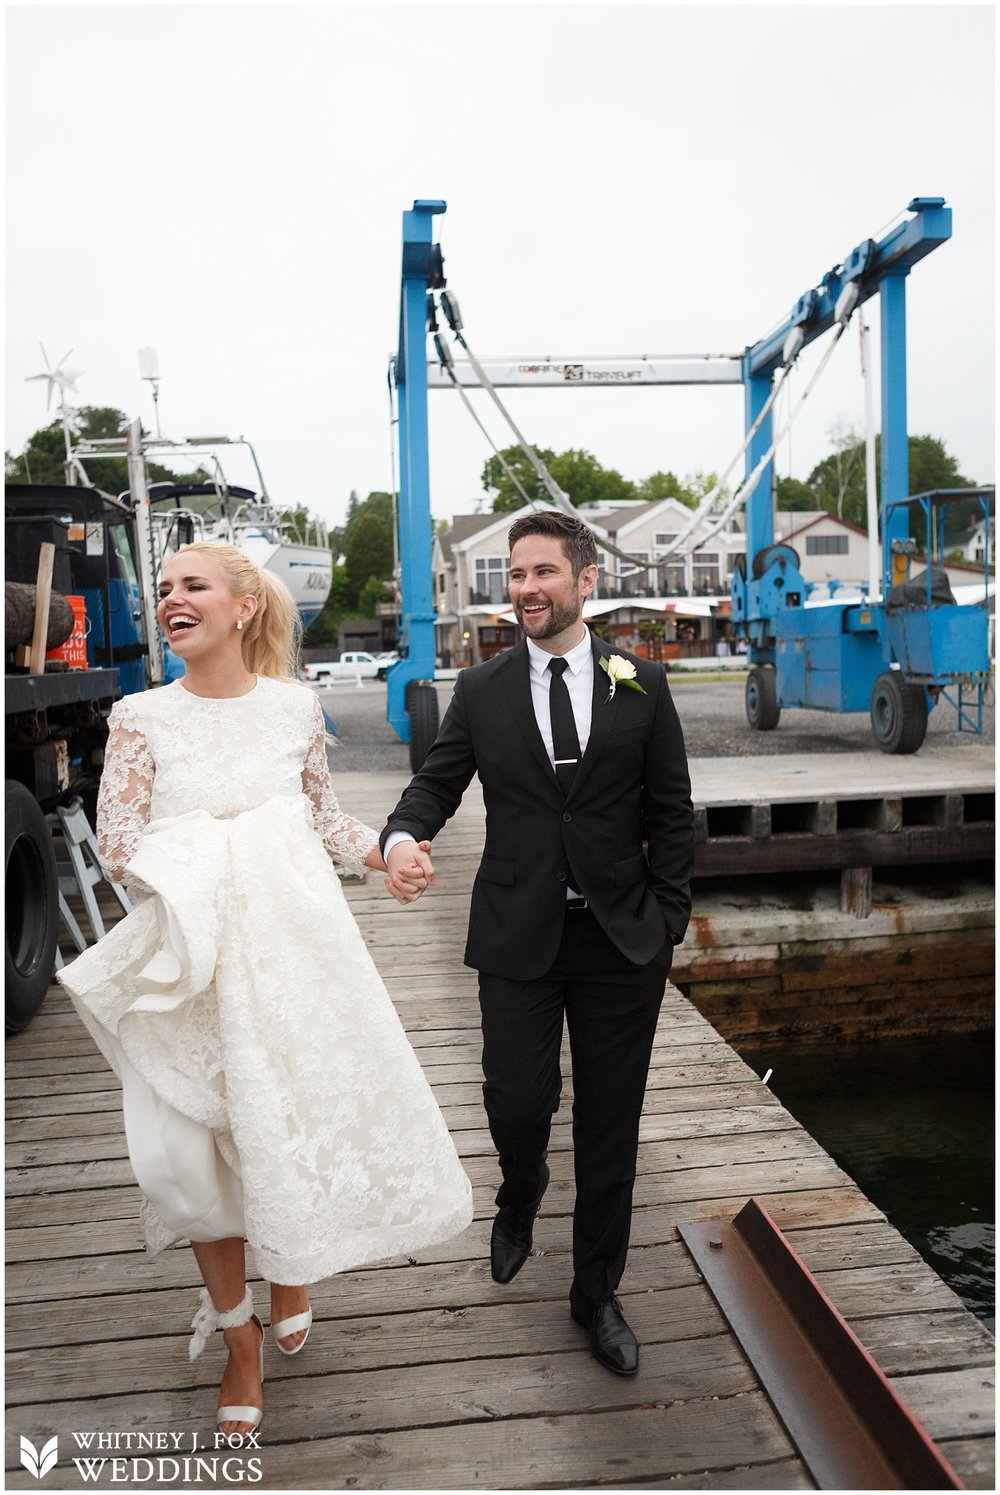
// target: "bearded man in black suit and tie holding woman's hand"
[[581, 898]]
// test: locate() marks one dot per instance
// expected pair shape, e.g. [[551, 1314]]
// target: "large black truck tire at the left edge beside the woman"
[[32, 907]]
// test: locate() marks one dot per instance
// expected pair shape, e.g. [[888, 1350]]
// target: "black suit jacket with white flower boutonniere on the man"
[[624, 838]]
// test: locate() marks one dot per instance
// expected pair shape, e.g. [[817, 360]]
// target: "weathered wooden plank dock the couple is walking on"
[[424, 1373]]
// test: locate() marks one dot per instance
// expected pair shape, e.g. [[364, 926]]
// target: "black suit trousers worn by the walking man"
[[611, 1008]]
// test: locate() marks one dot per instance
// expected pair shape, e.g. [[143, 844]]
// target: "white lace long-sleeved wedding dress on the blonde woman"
[[238, 1002]]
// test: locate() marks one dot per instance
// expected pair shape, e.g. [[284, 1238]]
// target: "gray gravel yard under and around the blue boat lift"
[[711, 712]]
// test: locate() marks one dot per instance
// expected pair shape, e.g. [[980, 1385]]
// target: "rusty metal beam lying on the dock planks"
[[848, 1424]]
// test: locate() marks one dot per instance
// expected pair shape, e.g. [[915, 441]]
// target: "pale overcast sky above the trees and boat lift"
[[226, 185]]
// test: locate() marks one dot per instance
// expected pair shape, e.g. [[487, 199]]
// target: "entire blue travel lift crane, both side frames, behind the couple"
[[893, 656]]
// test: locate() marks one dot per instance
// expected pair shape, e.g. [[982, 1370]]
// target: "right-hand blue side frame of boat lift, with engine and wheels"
[[892, 656]]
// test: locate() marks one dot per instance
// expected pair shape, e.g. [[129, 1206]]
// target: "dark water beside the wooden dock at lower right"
[[913, 1122]]
